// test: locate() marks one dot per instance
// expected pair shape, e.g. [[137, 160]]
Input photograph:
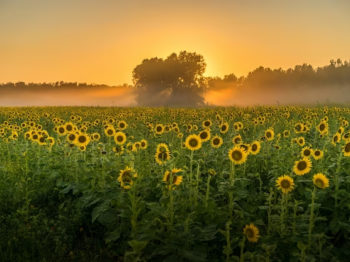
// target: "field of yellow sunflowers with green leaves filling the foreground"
[[172, 184]]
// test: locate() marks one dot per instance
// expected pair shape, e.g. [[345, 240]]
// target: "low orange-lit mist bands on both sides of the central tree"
[[224, 95]]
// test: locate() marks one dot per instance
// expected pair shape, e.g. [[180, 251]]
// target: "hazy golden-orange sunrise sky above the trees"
[[101, 41]]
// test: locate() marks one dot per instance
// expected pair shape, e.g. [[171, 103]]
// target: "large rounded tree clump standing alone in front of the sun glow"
[[176, 81]]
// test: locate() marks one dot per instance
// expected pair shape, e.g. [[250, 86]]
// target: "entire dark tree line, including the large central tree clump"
[[179, 80]]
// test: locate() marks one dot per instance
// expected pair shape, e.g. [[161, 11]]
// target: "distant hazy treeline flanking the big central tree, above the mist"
[[336, 73]]
